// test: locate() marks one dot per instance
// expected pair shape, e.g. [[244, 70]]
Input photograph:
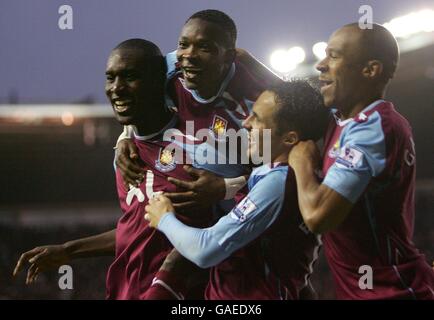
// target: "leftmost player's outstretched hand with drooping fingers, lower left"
[[41, 259]]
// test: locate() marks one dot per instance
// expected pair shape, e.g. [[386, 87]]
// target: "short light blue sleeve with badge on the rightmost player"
[[361, 157]]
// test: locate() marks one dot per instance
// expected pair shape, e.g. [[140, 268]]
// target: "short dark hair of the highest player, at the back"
[[222, 20]]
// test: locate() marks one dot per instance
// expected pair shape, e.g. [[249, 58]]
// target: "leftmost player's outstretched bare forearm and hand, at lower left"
[[45, 258]]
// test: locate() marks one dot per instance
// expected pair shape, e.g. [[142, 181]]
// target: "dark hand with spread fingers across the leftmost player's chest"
[[206, 188]]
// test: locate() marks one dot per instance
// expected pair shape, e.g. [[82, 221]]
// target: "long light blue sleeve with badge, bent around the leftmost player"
[[249, 219]]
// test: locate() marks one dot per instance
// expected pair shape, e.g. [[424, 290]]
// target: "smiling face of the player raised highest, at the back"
[[204, 56]]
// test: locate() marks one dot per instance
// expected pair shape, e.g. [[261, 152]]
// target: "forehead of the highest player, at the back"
[[200, 30]]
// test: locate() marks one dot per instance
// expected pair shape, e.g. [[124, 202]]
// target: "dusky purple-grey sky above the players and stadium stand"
[[41, 63]]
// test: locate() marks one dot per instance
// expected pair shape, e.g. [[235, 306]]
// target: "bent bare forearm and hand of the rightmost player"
[[322, 208]]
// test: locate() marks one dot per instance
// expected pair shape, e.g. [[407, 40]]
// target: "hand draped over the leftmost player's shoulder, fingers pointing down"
[[129, 163]]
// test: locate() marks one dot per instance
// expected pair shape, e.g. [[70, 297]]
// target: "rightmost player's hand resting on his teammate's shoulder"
[[304, 152]]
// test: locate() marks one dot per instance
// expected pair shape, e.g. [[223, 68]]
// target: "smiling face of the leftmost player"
[[127, 85]]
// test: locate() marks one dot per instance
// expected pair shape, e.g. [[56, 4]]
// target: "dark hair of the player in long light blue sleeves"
[[300, 108]]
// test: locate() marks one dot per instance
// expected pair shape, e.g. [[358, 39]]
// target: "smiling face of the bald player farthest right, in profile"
[[342, 81]]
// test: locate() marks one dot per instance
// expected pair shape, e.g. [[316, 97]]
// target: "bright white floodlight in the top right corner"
[[415, 22]]
